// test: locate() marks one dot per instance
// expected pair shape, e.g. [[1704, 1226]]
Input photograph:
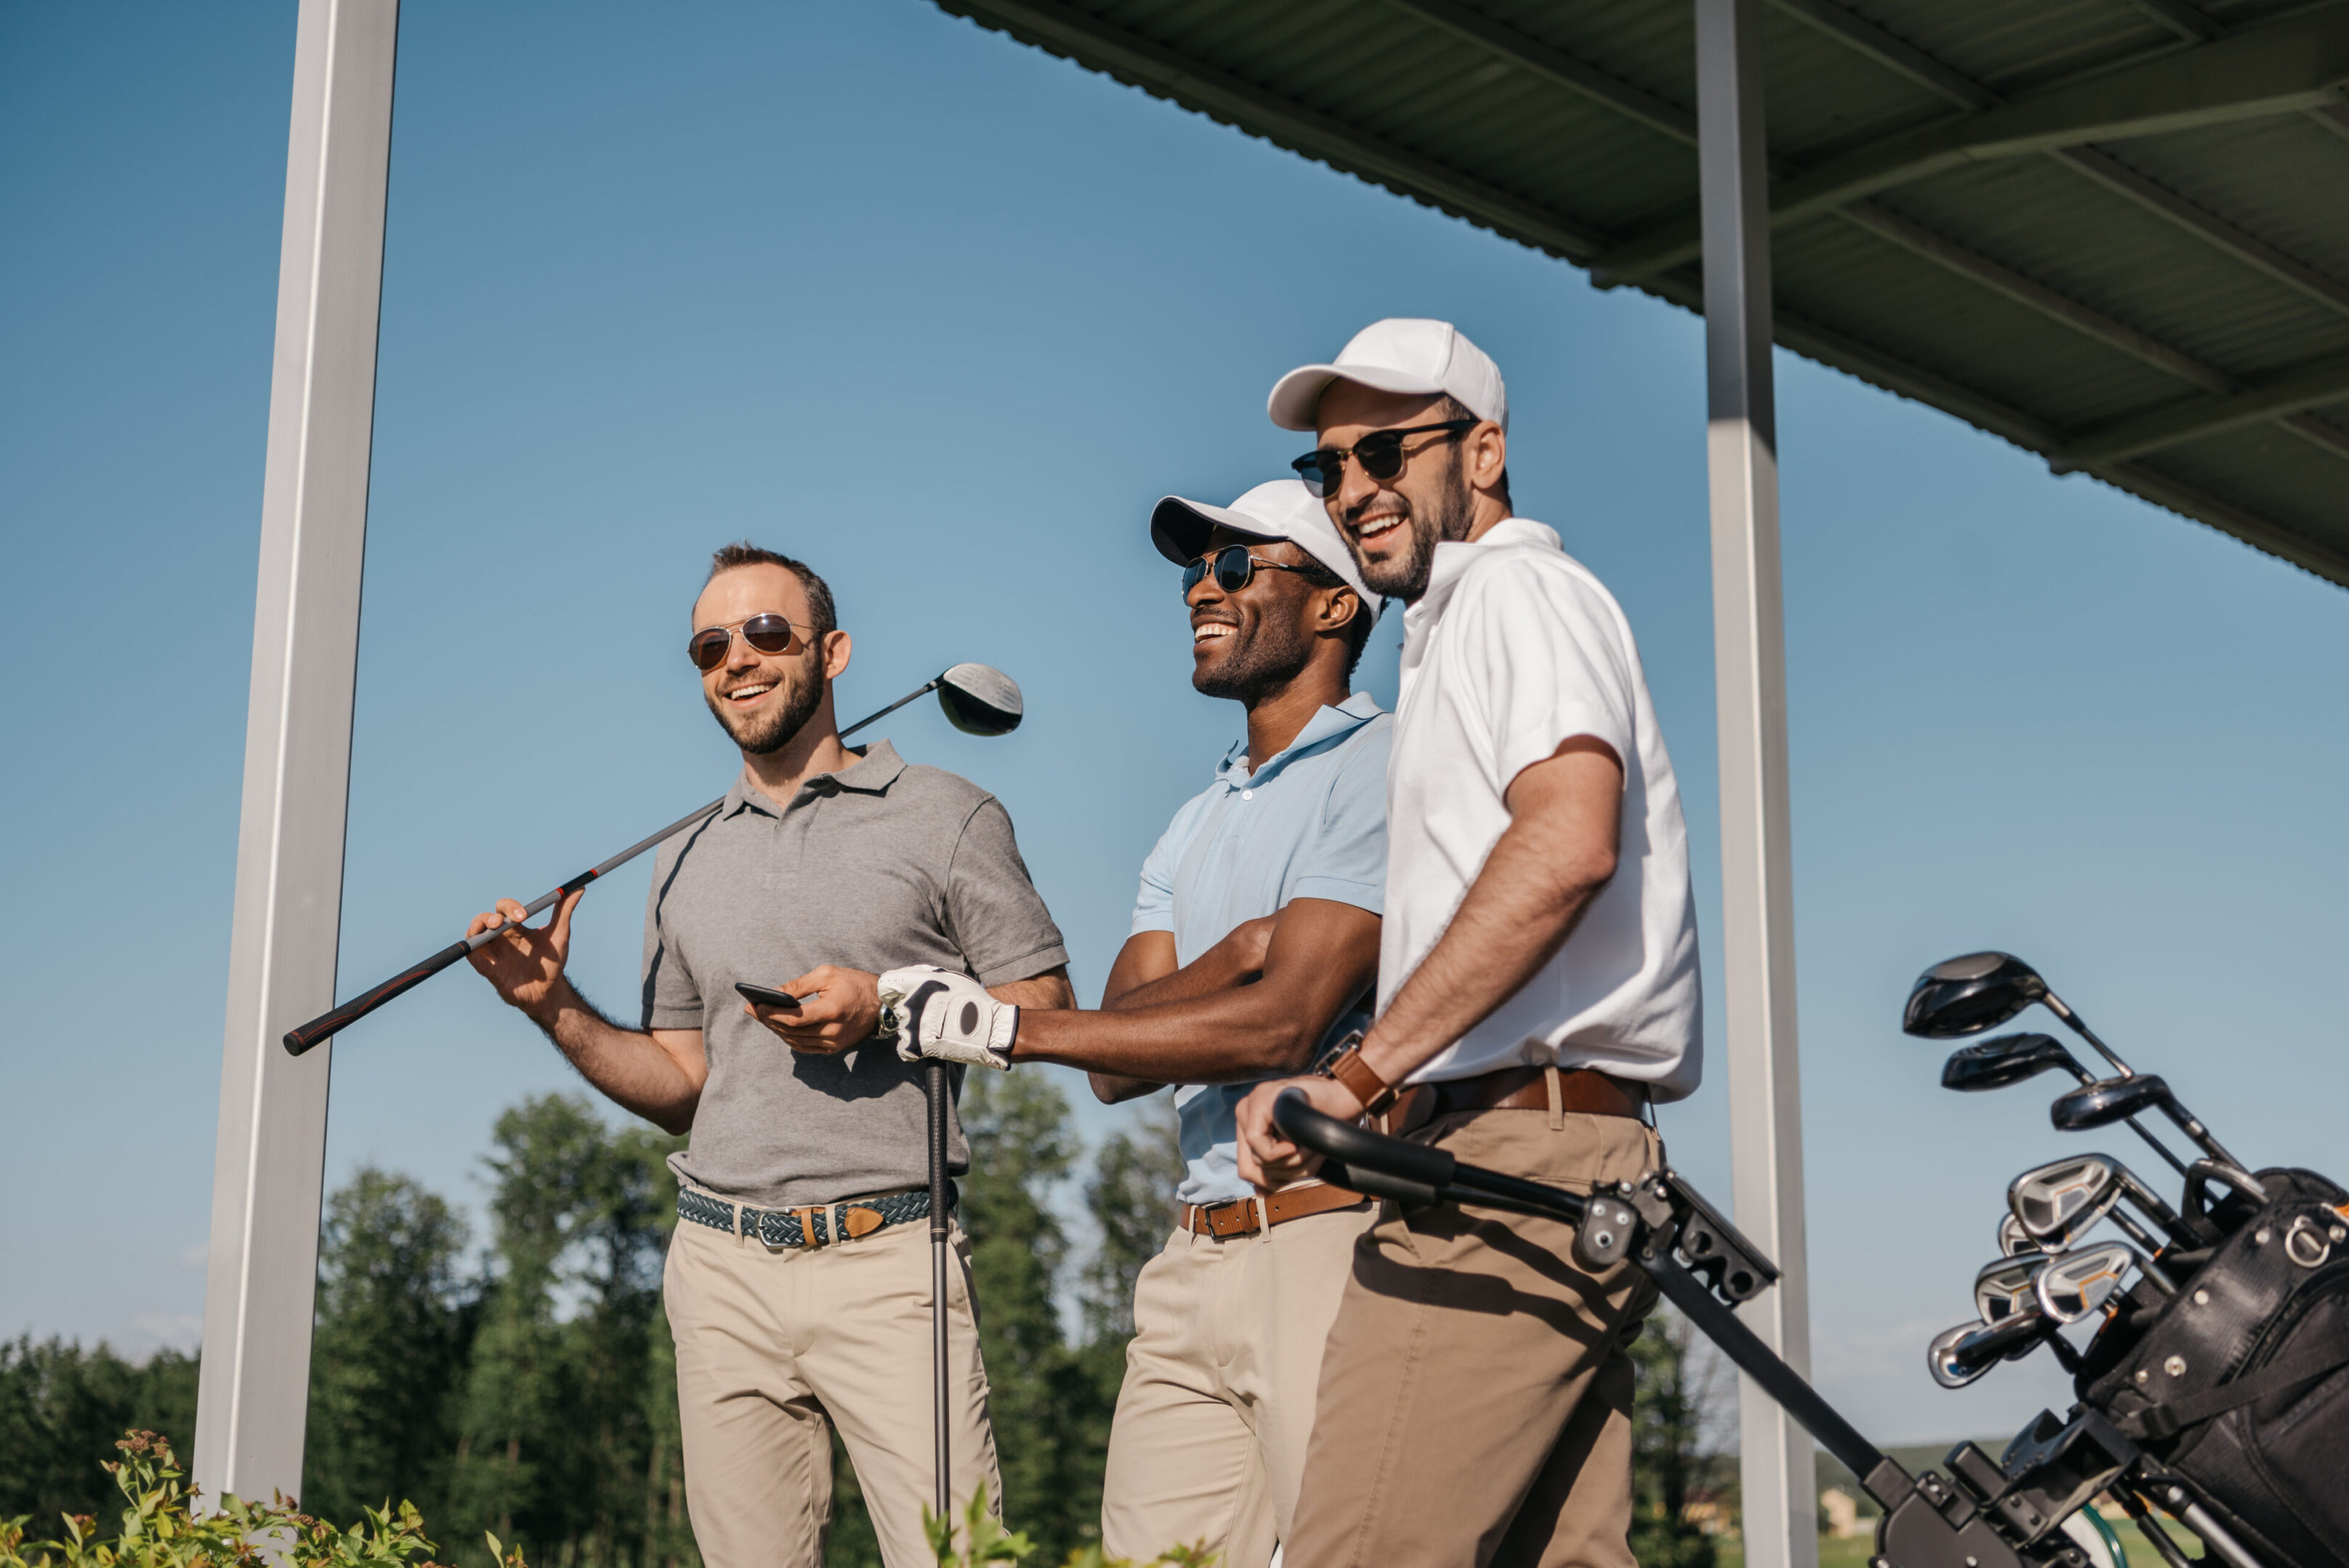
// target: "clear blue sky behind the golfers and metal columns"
[[945, 316]]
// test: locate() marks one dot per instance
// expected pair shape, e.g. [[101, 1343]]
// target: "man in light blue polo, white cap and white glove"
[[1256, 946]]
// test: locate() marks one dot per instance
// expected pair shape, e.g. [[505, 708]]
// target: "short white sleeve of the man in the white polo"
[[1552, 664]]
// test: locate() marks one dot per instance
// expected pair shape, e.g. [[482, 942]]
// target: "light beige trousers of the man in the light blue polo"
[[1218, 1402]]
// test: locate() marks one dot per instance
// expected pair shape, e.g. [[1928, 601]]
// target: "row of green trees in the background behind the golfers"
[[527, 1388]]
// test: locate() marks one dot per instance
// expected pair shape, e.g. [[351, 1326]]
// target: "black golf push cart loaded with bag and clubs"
[[2216, 1381]]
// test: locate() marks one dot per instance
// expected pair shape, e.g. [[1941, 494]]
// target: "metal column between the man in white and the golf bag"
[[1777, 1466]]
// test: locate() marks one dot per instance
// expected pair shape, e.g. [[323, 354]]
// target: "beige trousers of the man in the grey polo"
[[779, 1348]]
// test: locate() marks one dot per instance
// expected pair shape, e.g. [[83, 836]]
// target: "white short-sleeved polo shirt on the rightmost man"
[[1514, 650]]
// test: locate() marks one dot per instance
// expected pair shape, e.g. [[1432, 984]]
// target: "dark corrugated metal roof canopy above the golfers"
[[2111, 232]]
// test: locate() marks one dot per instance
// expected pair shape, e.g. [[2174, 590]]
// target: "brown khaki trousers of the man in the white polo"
[[1476, 1395]]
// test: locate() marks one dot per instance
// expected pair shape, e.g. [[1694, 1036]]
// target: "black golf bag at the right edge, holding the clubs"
[[2237, 1386]]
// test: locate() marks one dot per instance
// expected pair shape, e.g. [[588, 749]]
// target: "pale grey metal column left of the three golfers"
[[271, 1148]]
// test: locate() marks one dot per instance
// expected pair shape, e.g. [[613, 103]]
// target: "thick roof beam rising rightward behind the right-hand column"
[[2277, 69]]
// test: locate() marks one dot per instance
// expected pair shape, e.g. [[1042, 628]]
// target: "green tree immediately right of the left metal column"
[[389, 1353]]
